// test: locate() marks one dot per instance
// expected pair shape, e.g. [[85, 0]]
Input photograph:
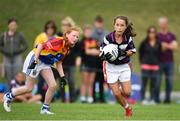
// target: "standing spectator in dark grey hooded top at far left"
[[12, 45]]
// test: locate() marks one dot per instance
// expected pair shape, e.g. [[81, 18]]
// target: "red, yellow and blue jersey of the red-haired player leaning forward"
[[54, 50]]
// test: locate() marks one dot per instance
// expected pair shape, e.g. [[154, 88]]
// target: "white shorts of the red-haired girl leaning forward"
[[33, 72]]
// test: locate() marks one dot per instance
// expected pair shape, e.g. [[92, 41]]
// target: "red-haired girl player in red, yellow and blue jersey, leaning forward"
[[40, 60]]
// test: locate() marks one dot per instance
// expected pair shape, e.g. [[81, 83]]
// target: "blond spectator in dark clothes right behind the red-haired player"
[[69, 94]]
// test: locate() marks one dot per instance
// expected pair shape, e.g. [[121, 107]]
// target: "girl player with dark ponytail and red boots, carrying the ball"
[[117, 73]]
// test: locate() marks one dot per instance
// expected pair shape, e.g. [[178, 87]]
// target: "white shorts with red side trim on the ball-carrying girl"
[[114, 73]]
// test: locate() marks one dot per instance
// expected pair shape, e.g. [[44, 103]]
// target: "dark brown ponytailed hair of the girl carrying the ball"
[[129, 30]]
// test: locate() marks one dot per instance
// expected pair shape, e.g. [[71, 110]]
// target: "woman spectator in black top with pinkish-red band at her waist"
[[149, 56]]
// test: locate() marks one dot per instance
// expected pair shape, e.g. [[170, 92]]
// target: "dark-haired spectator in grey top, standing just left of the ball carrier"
[[98, 34]]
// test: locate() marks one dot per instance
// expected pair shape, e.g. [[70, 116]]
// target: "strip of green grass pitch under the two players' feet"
[[78, 111]]
